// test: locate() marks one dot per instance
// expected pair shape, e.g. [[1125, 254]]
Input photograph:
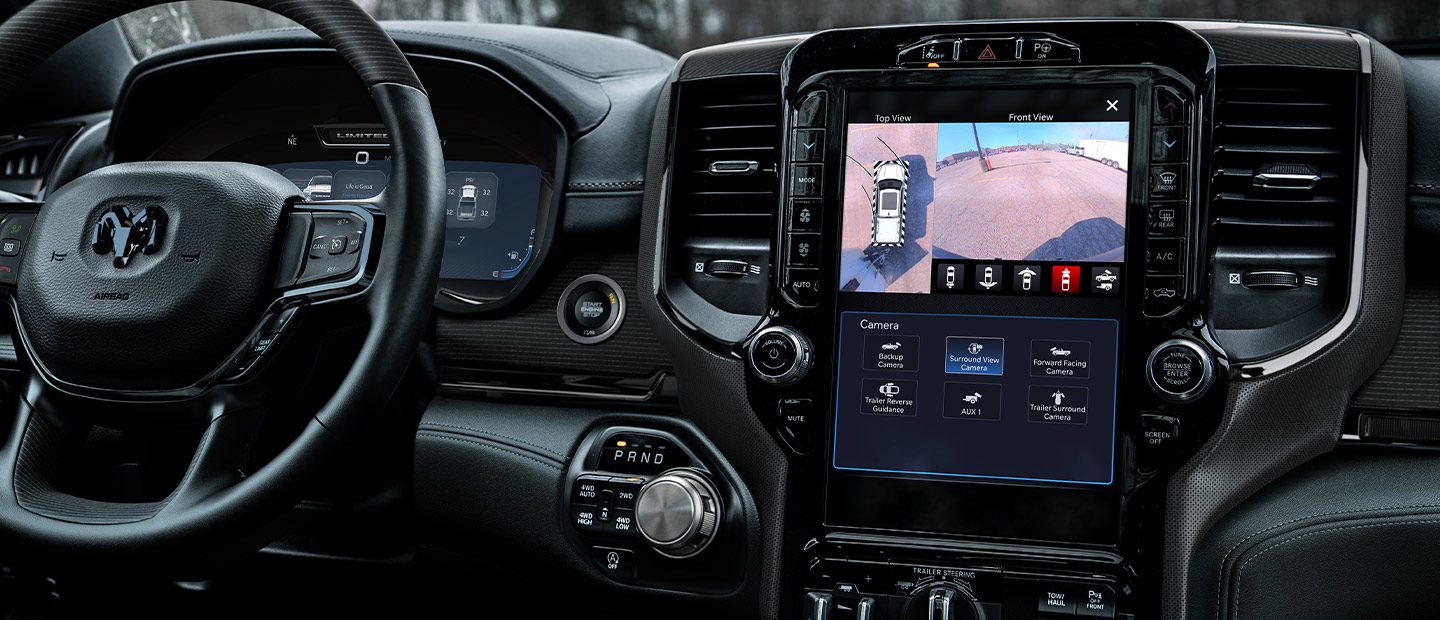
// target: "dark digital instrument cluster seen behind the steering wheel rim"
[[503, 152]]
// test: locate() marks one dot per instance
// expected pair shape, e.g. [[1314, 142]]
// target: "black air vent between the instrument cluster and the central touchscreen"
[[725, 192]]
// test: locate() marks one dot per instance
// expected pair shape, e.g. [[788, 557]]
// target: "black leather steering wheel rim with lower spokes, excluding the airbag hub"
[[211, 506]]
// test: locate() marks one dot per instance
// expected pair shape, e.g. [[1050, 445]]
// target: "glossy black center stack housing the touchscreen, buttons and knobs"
[[987, 340]]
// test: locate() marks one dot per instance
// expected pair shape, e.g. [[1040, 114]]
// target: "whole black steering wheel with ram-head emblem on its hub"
[[150, 296]]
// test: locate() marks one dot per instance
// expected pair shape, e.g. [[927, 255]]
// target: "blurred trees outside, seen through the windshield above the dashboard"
[[678, 27]]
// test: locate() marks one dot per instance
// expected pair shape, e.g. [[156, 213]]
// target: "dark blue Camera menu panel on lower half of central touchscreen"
[[977, 396]]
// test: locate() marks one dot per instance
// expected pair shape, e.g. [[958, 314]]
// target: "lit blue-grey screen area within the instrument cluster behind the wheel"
[[490, 209]]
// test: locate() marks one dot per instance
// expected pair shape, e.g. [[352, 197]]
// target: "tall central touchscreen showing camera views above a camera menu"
[[980, 296]]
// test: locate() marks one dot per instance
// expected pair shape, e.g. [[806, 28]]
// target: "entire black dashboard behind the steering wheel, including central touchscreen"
[[978, 320]]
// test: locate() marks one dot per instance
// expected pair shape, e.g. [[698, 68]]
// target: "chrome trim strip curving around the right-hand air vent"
[[1357, 283]]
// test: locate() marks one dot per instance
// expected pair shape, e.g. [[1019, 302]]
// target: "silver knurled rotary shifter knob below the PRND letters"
[[679, 513]]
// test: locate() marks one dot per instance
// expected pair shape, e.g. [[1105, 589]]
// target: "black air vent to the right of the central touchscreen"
[[1282, 205]]
